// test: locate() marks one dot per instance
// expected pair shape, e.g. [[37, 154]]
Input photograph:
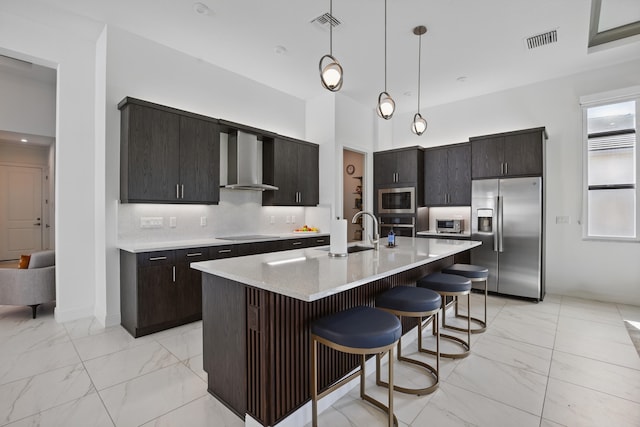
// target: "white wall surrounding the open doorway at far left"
[[32, 33]]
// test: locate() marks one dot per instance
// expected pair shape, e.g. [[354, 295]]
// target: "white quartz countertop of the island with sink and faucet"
[[311, 274]]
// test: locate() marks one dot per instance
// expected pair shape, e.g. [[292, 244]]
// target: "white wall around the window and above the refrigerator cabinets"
[[606, 271]]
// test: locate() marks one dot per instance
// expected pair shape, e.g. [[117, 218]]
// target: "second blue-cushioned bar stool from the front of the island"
[[411, 301]]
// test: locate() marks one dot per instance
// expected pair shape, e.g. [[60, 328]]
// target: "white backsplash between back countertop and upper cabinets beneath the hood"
[[239, 212]]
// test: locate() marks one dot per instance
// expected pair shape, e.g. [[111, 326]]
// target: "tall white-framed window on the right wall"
[[611, 178]]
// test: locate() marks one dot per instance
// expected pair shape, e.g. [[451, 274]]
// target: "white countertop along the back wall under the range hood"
[[136, 246]]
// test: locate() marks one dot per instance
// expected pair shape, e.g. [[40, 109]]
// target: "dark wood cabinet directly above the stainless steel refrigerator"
[[509, 154]]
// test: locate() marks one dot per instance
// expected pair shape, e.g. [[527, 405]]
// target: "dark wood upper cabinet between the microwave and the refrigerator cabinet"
[[447, 175]]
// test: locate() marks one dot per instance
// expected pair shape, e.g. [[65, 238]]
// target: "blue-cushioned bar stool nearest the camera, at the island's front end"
[[359, 330]]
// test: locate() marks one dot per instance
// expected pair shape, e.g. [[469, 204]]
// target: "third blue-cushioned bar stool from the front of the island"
[[450, 285]]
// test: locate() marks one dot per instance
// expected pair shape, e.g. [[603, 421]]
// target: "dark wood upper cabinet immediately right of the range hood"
[[293, 167]]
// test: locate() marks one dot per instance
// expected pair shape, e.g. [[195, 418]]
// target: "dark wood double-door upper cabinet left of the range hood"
[[167, 155]]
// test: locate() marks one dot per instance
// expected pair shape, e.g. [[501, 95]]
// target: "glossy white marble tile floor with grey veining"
[[562, 362]]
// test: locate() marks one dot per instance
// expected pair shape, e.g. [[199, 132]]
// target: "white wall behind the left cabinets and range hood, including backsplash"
[[146, 70]]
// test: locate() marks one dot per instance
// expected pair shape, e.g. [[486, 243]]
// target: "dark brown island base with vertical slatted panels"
[[256, 342]]
